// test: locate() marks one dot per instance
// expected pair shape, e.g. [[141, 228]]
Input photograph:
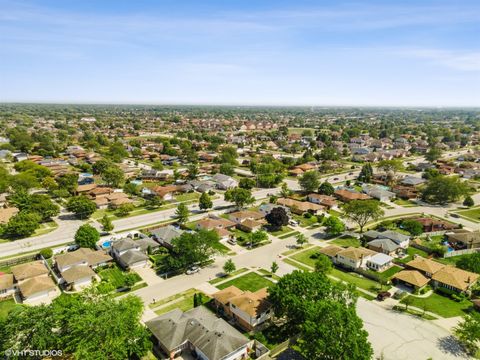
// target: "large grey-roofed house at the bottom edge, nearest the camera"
[[198, 333]]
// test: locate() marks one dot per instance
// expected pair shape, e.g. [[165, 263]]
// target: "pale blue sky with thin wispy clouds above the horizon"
[[407, 53]]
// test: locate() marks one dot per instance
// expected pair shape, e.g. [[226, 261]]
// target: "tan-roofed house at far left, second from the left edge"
[[33, 282]]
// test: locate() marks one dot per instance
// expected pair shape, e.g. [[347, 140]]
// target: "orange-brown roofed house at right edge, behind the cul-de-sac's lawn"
[[454, 279]]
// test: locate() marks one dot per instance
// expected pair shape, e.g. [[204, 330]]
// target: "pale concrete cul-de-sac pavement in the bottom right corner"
[[397, 336]]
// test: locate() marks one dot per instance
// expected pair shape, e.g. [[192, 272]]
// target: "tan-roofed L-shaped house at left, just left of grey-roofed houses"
[[76, 268]]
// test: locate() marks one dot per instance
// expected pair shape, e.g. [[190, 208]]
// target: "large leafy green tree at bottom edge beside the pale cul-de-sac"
[[333, 331]]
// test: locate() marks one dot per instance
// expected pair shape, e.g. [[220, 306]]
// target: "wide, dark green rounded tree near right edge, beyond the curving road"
[[444, 189]]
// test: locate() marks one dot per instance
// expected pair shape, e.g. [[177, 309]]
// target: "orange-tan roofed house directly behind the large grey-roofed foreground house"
[[246, 308]]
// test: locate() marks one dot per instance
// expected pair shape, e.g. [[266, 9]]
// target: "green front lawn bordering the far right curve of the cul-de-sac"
[[441, 305]]
